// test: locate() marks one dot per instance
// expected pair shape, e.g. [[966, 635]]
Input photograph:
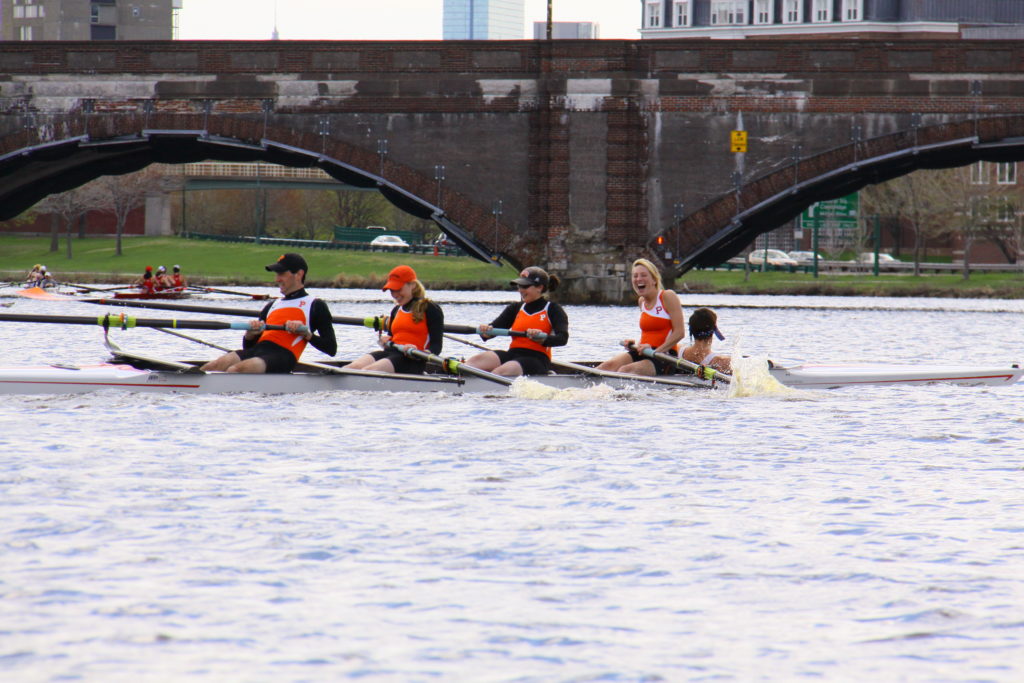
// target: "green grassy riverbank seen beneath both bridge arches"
[[228, 264]]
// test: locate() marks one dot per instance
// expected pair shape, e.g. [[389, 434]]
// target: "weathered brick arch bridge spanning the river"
[[574, 155]]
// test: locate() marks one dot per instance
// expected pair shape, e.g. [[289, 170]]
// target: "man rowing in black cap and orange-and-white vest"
[[307, 319]]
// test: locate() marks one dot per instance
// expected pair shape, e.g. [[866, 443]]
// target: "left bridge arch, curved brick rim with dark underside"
[[67, 153]]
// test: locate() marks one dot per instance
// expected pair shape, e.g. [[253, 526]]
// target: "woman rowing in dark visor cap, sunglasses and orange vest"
[[541, 325]]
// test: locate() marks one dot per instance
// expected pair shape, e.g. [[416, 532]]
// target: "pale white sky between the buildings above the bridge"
[[376, 20]]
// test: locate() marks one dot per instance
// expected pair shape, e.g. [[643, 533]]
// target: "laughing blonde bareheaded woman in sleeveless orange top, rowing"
[[662, 325]]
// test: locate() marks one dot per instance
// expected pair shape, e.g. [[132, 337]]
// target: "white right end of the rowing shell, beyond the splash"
[[834, 377]]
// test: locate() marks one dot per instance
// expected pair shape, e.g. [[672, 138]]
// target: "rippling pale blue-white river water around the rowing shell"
[[875, 533]]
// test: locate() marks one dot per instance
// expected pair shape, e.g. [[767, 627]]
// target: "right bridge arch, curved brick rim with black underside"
[[723, 228]]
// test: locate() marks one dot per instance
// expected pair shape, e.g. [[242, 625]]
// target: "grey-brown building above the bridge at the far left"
[[89, 20]]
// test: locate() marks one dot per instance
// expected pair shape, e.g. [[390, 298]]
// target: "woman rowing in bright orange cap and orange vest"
[[416, 322]]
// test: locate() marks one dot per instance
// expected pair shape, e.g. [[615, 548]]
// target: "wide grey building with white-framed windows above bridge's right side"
[[815, 19]]
